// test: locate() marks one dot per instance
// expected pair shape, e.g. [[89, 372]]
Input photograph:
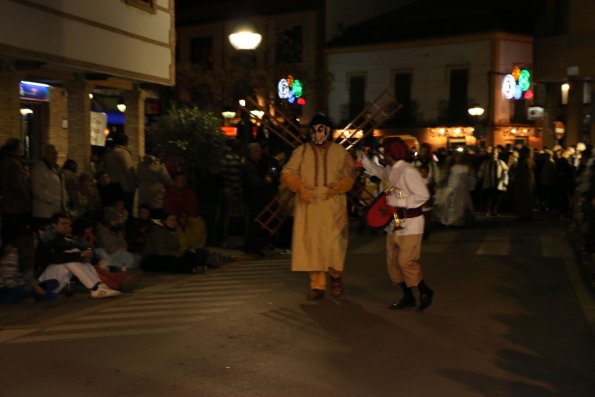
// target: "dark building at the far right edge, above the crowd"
[[565, 66]]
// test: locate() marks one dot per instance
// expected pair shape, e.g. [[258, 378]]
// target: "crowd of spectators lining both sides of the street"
[[103, 229]]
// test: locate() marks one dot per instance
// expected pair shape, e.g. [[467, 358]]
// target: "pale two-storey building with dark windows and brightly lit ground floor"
[[436, 74]]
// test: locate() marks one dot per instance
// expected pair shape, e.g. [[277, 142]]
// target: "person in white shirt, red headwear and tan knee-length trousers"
[[403, 239]]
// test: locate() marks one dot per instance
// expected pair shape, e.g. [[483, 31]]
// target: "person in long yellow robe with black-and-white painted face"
[[320, 172]]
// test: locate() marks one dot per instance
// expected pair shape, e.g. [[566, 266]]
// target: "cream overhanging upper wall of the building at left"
[[107, 37]]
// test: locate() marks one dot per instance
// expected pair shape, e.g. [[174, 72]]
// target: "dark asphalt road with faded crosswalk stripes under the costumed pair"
[[510, 318]]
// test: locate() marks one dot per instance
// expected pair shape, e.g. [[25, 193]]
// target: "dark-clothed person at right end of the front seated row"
[[163, 252]]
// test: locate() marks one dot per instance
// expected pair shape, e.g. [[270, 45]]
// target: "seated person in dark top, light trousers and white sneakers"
[[67, 259]]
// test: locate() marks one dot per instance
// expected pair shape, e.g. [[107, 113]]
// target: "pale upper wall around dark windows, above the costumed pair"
[[430, 65]]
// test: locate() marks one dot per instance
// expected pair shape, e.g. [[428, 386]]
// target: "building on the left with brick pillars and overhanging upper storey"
[[57, 56]]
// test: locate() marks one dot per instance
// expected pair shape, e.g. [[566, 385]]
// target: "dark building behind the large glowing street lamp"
[[215, 75]]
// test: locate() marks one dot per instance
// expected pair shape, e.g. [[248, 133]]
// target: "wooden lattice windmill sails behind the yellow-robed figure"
[[378, 111]]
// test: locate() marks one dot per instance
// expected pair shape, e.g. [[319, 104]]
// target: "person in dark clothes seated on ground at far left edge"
[[14, 287]]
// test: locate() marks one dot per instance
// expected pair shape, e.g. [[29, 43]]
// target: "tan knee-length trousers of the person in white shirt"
[[402, 258]]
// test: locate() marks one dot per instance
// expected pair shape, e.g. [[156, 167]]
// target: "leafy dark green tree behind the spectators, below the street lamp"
[[191, 137]]
